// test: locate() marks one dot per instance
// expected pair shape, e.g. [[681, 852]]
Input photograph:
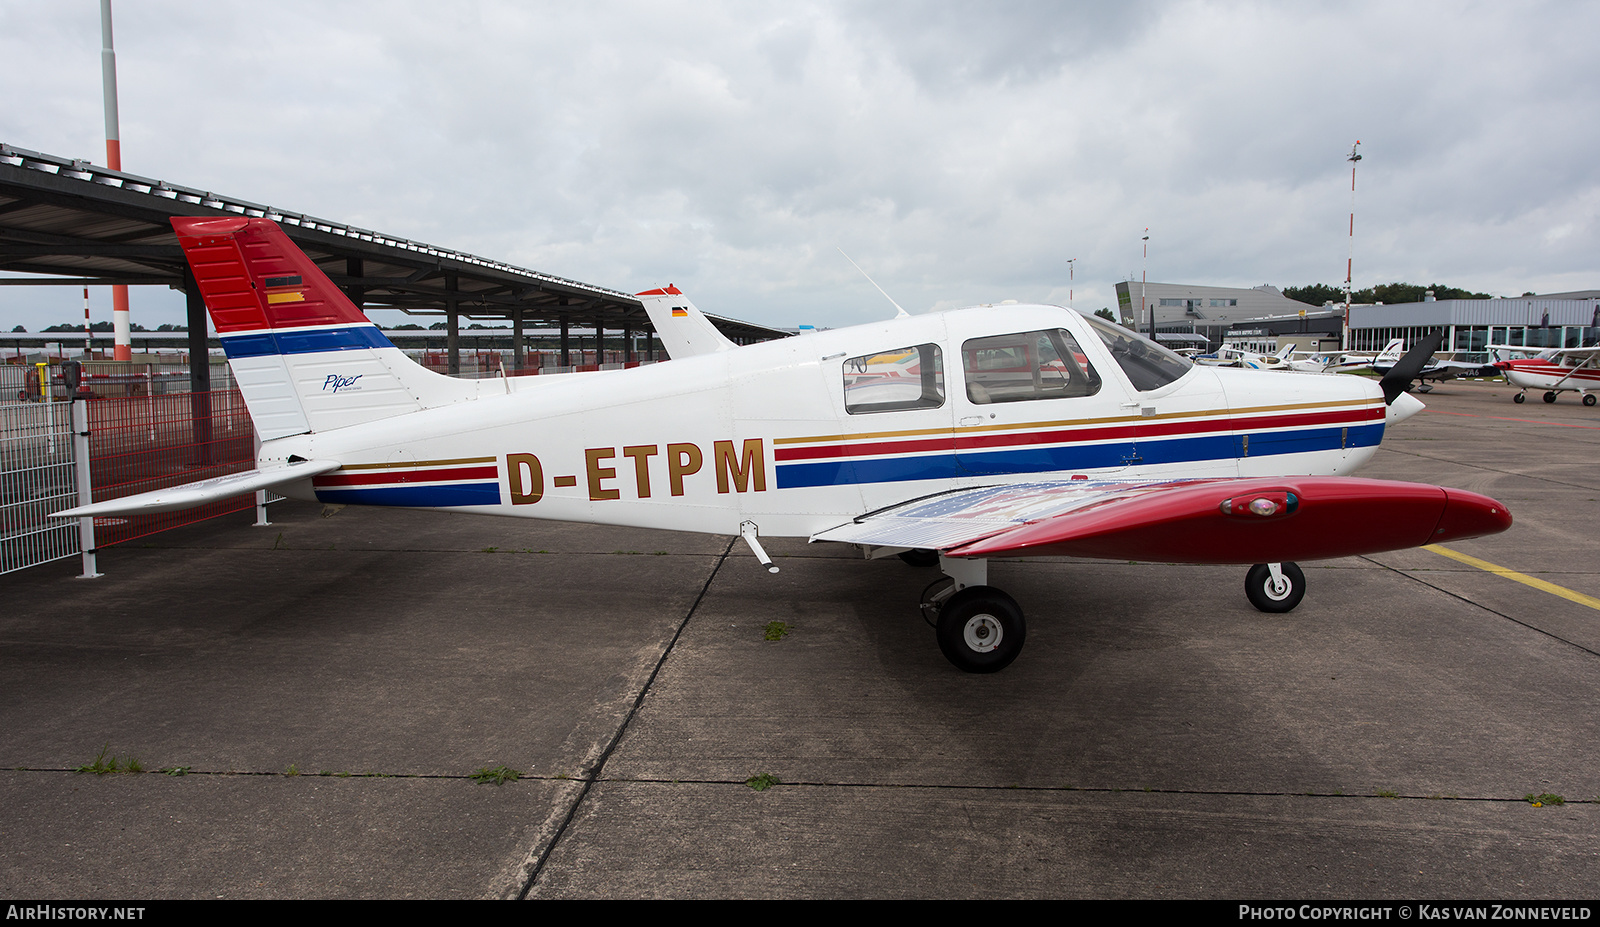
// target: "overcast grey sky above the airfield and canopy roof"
[[961, 153]]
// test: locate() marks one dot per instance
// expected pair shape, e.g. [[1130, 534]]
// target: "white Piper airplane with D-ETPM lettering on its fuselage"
[[946, 438]]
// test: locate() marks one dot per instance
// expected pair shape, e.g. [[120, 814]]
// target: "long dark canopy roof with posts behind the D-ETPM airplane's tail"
[[74, 223]]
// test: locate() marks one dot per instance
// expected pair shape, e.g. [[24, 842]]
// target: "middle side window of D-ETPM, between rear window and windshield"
[[1028, 366]]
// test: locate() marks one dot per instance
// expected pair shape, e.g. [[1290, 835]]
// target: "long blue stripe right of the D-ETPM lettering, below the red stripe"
[[1084, 457]]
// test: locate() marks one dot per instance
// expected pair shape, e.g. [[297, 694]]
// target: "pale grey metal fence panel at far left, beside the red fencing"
[[36, 480]]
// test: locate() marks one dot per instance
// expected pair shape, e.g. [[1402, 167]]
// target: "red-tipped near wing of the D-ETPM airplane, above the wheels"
[[1228, 521]]
